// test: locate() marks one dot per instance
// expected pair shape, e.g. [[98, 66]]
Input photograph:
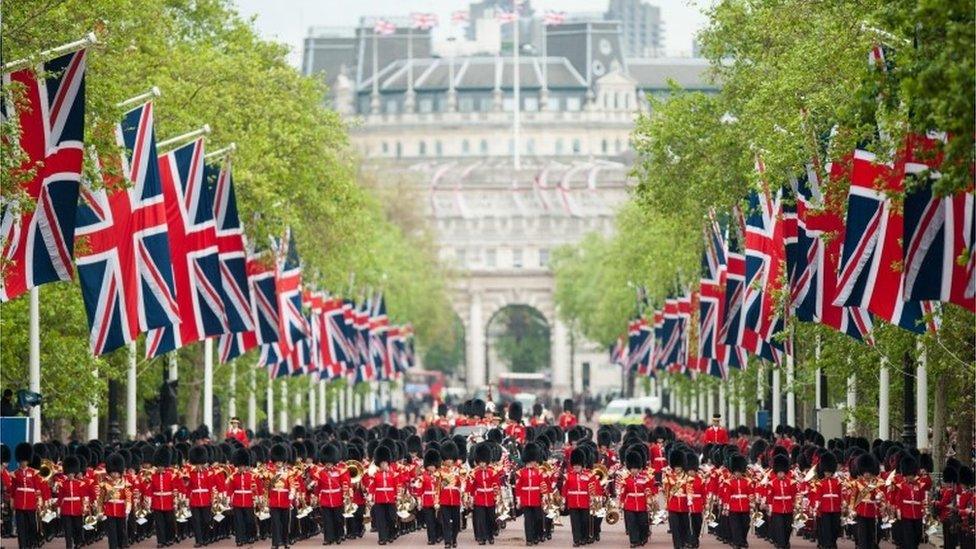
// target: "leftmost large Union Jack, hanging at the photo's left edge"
[[38, 239]]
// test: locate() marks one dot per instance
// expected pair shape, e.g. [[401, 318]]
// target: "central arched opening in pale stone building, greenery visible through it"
[[517, 339]]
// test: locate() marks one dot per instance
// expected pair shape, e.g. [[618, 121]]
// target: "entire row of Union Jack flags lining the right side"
[[842, 244]]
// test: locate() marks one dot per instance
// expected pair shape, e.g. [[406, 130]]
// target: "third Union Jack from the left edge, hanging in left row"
[[193, 248]]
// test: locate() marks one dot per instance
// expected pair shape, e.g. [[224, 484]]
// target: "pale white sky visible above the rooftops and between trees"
[[288, 21]]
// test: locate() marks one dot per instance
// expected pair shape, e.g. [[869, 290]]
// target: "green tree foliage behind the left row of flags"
[[293, 168]]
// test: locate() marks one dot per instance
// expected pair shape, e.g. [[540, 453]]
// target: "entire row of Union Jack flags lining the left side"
[[160, 249]]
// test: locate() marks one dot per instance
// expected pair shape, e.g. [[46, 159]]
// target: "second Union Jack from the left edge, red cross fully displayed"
[[123, 251]]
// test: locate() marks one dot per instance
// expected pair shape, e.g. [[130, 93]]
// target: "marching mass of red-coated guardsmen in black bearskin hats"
[[344, 481]]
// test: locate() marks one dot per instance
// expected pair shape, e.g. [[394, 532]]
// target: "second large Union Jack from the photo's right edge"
[[870, 271]]
